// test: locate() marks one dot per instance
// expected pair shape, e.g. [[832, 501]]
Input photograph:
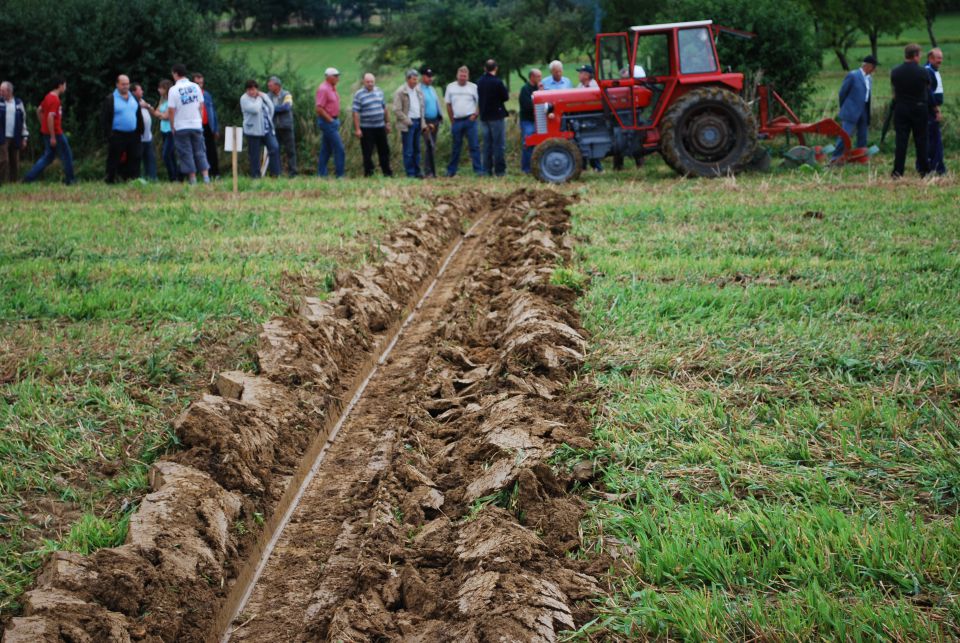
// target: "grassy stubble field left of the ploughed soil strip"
[[116, 305]]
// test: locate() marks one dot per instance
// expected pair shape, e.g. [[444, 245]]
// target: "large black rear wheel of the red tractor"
[[708, 132]]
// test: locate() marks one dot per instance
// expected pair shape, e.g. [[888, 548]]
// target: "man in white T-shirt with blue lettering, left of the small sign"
[[186, 122]]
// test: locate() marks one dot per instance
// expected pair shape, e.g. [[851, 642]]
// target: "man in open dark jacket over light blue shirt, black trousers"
[[122, 122]]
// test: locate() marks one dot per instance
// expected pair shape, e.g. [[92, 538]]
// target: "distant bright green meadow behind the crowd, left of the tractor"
[[308, 56]]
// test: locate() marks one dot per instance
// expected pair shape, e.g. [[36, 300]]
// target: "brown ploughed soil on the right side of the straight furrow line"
[[399, 535]]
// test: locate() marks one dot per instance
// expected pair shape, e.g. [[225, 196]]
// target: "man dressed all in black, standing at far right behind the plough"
[[911, 85]]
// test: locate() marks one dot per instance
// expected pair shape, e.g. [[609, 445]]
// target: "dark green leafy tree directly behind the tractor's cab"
[[784, 48]]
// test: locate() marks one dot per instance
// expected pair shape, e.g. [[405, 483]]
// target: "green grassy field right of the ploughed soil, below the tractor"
[[779, 432]]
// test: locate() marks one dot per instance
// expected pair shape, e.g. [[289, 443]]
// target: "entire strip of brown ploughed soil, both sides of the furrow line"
[[433, 515]]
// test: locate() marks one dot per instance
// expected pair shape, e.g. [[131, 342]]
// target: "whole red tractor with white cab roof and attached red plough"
[[661, 89]]
